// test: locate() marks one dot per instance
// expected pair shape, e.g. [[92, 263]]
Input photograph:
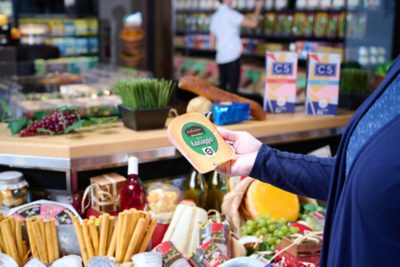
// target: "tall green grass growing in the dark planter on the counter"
[[144, 93]]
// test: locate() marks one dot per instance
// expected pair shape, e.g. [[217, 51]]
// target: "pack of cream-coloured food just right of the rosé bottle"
[[163, 197]]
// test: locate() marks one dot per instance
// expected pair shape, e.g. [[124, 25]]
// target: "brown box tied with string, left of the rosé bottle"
[[105, 191]]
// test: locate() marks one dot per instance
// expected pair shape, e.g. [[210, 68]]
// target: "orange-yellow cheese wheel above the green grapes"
[[265, 199]]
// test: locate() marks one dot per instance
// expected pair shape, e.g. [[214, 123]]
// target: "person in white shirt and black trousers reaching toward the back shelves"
[[225, 32]]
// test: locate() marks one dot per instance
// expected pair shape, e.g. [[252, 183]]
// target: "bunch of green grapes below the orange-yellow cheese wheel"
[[269, 230]]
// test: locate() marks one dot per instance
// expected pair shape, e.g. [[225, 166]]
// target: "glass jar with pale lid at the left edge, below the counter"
[[13, 189]]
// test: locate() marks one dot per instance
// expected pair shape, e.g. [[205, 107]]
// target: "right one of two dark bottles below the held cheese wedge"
[[217, 188]]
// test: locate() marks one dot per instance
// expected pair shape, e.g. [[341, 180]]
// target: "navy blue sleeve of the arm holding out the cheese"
[[300, 174]]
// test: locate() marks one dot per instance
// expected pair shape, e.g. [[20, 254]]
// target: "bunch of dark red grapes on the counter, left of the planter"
[[57, 122]]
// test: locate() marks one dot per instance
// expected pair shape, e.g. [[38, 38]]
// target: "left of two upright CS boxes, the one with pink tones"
[[280, 82]]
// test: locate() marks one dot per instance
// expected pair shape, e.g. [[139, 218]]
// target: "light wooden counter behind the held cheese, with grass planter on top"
[[90, 149]]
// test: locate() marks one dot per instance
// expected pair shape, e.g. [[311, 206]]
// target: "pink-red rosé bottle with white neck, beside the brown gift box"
[[132, 194]]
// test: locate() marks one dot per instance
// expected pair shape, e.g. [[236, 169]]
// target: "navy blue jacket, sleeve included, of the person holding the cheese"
[[362, 225]]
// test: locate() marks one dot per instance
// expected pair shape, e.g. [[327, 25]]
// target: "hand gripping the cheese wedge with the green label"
[[246, 148]]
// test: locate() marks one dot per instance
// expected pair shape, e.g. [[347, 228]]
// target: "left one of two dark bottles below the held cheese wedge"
[[196, 189]]
